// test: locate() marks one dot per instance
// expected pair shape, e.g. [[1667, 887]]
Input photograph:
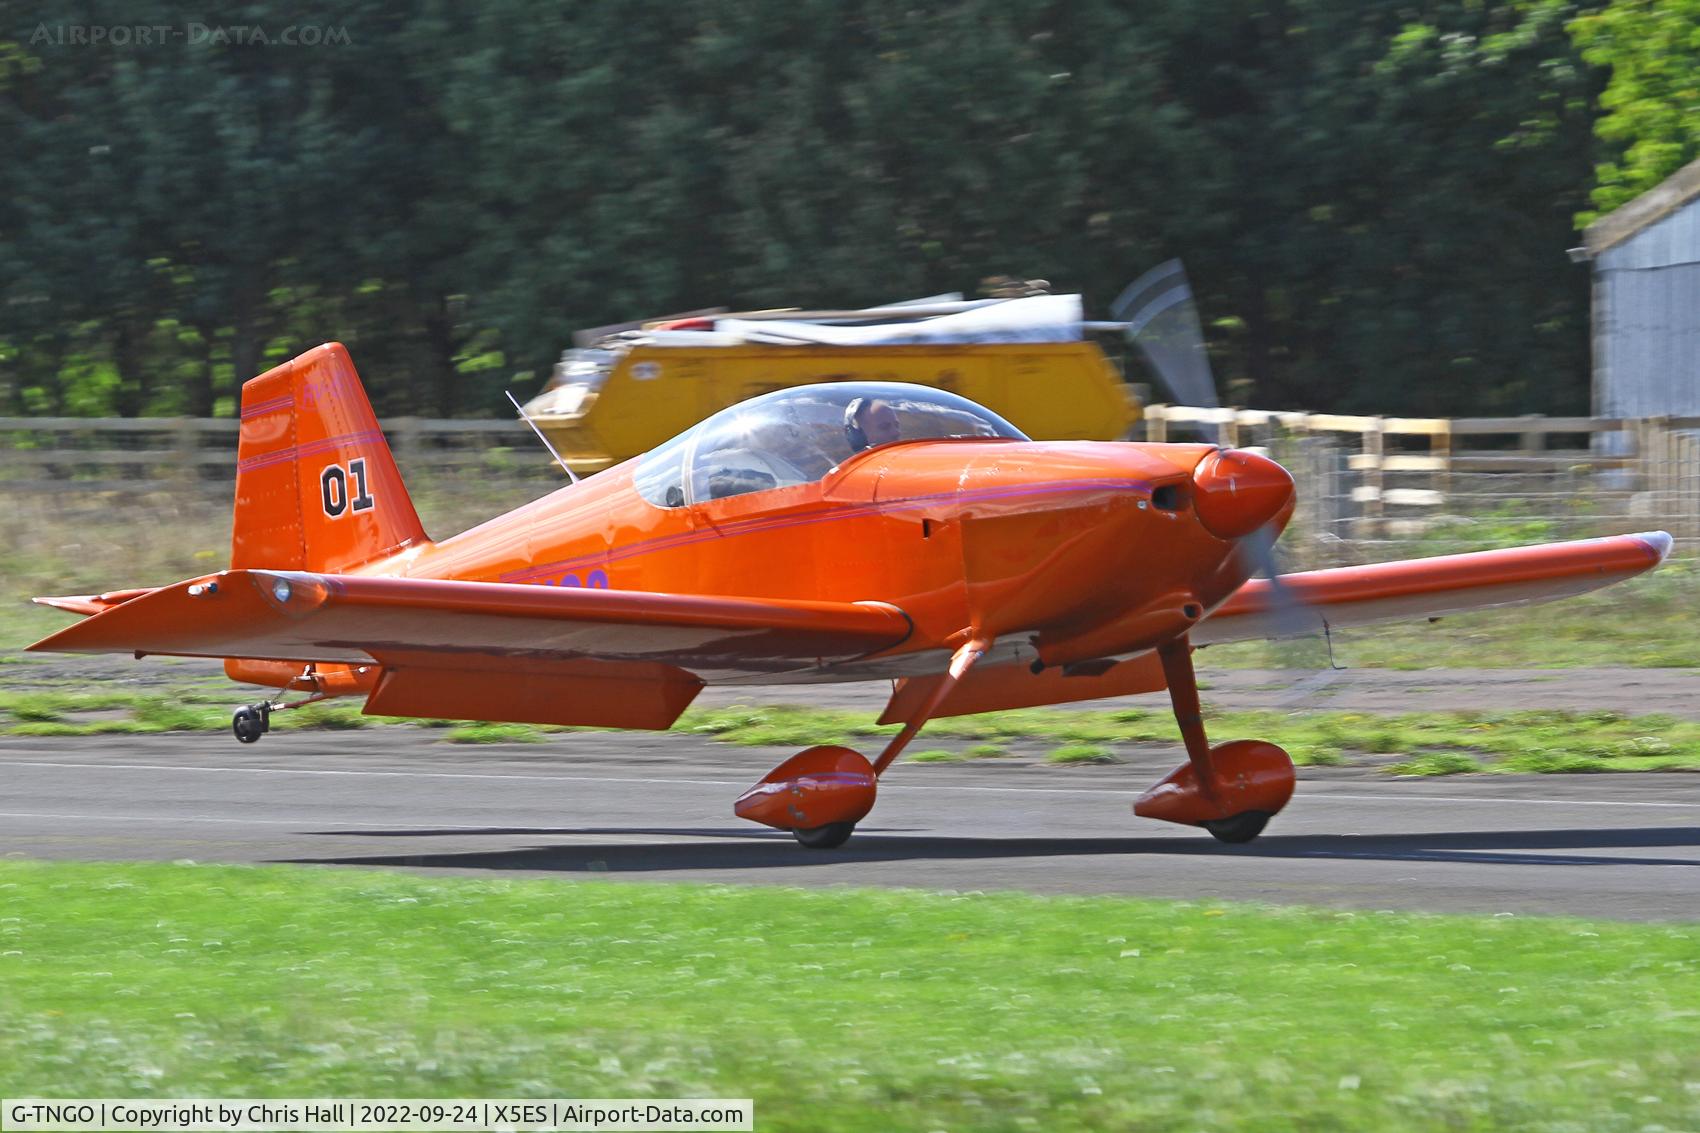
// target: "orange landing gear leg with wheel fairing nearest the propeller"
[[1230, 790]]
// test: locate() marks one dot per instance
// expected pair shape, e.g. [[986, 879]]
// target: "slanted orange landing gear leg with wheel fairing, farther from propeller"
[[824, 792]]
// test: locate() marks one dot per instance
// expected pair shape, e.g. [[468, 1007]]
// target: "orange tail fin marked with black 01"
[[317, 487]]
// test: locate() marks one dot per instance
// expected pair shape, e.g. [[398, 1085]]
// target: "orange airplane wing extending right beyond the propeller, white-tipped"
[[1429, 588]]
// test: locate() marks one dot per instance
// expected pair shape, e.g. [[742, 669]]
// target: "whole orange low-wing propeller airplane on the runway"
[[822, 533]]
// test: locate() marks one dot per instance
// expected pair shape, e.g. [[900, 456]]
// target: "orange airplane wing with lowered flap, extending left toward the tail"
[[487, 651]]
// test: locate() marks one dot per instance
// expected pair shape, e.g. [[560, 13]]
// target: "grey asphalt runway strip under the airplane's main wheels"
[[659, 807]]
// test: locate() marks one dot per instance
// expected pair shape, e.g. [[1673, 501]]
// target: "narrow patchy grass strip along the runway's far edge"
[[1429, 743]]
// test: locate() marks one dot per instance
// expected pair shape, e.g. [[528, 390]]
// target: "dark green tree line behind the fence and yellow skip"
[[1373, 198]]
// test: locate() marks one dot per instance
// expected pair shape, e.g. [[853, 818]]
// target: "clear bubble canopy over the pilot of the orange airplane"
[[800, 435]]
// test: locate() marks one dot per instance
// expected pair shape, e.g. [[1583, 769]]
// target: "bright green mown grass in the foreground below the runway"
[[841, 1010]]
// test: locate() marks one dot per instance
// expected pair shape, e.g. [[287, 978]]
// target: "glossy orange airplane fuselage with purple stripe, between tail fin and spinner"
[[1089, 545]]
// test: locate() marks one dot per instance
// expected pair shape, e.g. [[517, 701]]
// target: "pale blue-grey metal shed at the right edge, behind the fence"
[[1646, 302]]
